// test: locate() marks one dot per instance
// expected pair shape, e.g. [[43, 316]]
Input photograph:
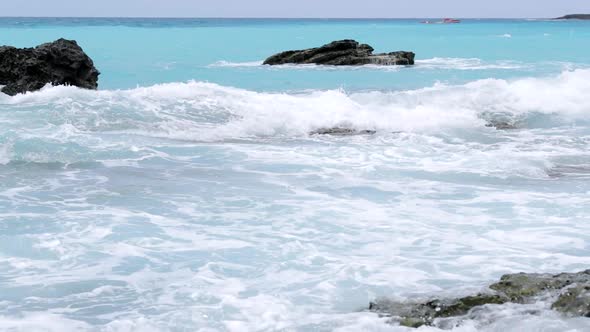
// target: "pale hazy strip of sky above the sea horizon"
[[297, 8]]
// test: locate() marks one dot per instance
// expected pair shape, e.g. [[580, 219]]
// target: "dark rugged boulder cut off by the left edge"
[[61, 62]]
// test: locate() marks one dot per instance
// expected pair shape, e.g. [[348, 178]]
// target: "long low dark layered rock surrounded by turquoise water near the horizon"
[[341, 53]]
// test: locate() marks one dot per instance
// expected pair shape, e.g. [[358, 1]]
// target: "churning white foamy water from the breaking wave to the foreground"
[[295, 234]]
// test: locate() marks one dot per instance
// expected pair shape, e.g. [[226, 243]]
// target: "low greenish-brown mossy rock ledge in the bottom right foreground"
[[570, 294]]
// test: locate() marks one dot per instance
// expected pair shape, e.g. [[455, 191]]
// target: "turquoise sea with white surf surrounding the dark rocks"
[[187, 194]]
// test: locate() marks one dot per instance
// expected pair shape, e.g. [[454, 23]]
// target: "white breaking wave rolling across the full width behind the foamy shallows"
[[205, 111]]
